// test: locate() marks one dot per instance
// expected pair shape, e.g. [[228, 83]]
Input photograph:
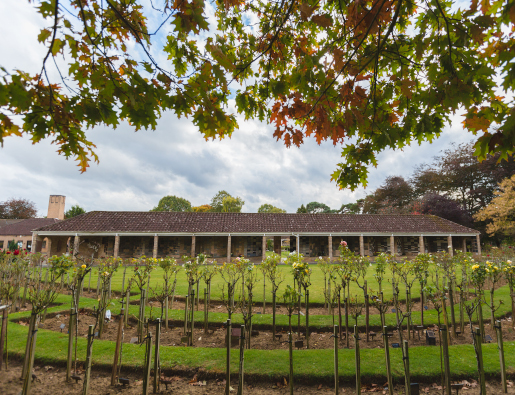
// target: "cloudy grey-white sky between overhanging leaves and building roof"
[[136, 169]]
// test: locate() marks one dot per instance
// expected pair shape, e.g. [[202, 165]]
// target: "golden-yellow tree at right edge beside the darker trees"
[[500, 213]]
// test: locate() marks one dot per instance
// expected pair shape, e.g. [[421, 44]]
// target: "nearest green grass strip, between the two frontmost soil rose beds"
[[309, 365]]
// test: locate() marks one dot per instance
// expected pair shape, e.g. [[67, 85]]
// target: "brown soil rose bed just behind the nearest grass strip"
[[215, 338]]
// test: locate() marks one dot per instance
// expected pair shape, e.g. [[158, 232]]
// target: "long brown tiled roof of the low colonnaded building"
[[179, 222]]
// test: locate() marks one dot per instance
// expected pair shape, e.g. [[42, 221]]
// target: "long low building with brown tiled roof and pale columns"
[[225, 235]]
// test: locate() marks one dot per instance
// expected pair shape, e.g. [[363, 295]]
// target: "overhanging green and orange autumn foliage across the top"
[[368, 75]]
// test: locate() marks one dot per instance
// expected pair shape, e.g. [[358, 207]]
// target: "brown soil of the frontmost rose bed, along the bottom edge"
[[50, 380]]
